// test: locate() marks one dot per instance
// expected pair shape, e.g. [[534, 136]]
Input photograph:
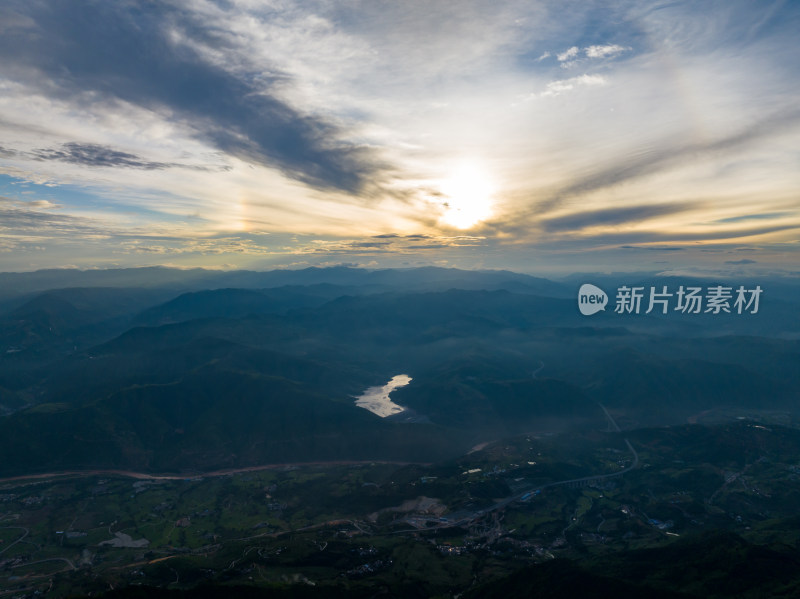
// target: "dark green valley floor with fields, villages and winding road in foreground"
[[422, 531]]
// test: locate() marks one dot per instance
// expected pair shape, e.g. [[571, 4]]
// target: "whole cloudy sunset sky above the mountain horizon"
[[543, 137]]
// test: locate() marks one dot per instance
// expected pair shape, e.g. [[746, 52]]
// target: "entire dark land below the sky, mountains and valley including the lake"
[[346, 435]]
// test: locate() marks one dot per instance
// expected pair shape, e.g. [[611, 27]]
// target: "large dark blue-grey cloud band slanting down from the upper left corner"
[[154, 58]]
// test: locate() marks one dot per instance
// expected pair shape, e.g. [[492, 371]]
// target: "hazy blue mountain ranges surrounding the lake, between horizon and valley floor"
[[88, 373]]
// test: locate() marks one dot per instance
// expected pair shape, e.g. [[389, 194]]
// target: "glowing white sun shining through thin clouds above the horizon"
[[467, 196]]
